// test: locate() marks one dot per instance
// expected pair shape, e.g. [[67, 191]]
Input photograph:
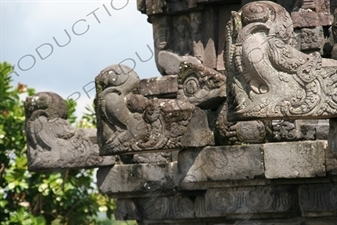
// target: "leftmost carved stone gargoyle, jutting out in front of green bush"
[[53, 143]]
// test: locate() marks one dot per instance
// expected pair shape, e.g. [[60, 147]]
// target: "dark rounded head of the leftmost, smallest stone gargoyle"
[[49, 103]]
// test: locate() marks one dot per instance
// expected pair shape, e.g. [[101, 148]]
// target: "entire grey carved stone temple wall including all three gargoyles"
[[238, 128]]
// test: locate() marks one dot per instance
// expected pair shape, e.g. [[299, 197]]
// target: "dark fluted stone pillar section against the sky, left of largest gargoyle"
[[194, 36]]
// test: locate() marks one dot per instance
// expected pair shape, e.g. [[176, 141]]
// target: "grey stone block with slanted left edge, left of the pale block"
[[220, 164]]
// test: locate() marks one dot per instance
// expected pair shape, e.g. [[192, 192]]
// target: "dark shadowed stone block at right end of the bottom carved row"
[[318, 199]]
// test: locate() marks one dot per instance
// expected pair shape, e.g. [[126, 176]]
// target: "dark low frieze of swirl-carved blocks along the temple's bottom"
[[232, 203]]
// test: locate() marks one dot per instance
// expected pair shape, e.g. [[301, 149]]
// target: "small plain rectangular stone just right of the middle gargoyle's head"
[[161, 87]]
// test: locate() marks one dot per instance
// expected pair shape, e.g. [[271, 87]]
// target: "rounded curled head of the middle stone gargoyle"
[[120, 76]]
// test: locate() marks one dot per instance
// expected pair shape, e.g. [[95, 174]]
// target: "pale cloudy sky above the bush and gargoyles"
[[101, 33]]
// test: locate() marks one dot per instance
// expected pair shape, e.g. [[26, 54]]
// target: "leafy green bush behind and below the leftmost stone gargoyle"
[[65, 197]]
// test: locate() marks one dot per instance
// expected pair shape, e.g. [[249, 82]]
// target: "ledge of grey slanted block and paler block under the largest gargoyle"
[[287, 160]]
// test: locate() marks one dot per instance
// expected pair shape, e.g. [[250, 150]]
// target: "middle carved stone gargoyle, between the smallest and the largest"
[[128, 122]]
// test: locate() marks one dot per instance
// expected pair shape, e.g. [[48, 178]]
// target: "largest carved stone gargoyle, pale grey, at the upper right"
[[267, 76]]
